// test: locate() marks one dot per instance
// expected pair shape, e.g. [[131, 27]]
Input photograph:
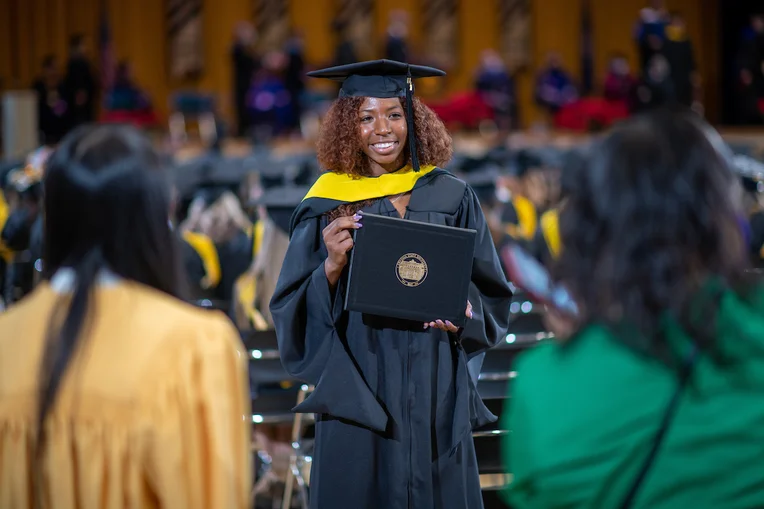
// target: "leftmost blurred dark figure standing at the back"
[[52, 108]]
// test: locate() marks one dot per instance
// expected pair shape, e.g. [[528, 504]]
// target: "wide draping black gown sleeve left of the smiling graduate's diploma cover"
[[307, 316]]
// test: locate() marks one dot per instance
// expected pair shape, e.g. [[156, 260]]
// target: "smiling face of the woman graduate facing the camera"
[[383, 133]]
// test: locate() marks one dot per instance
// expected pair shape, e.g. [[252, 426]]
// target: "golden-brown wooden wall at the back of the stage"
[[30, 29]]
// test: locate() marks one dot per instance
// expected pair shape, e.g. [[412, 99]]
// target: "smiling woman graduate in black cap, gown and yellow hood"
[[395, 404]]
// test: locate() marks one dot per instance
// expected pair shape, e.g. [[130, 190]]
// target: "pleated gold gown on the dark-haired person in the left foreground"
[[153, 412]]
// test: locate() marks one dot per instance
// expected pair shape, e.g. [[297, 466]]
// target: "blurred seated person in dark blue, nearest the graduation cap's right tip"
[[497, 88]]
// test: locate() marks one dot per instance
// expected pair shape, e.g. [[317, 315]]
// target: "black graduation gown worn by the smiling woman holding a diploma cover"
[[395, 404]]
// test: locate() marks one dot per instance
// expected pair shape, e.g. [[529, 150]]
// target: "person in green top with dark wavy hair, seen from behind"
[[655, 259]]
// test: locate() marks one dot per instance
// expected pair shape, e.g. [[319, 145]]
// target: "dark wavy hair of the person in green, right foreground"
[[654, 213]]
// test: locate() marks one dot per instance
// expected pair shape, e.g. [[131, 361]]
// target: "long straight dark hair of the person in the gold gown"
[[106, 202]]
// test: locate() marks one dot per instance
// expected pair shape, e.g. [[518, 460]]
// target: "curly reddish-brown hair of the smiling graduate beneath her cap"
[[339, 148]]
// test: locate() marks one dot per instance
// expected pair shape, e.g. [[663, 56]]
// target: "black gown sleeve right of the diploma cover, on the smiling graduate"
[[490, 293]]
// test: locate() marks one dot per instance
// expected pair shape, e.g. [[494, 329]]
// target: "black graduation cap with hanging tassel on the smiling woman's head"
[[382, 79]]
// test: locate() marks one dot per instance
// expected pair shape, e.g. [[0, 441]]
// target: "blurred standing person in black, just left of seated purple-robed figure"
[[244, 66]]
